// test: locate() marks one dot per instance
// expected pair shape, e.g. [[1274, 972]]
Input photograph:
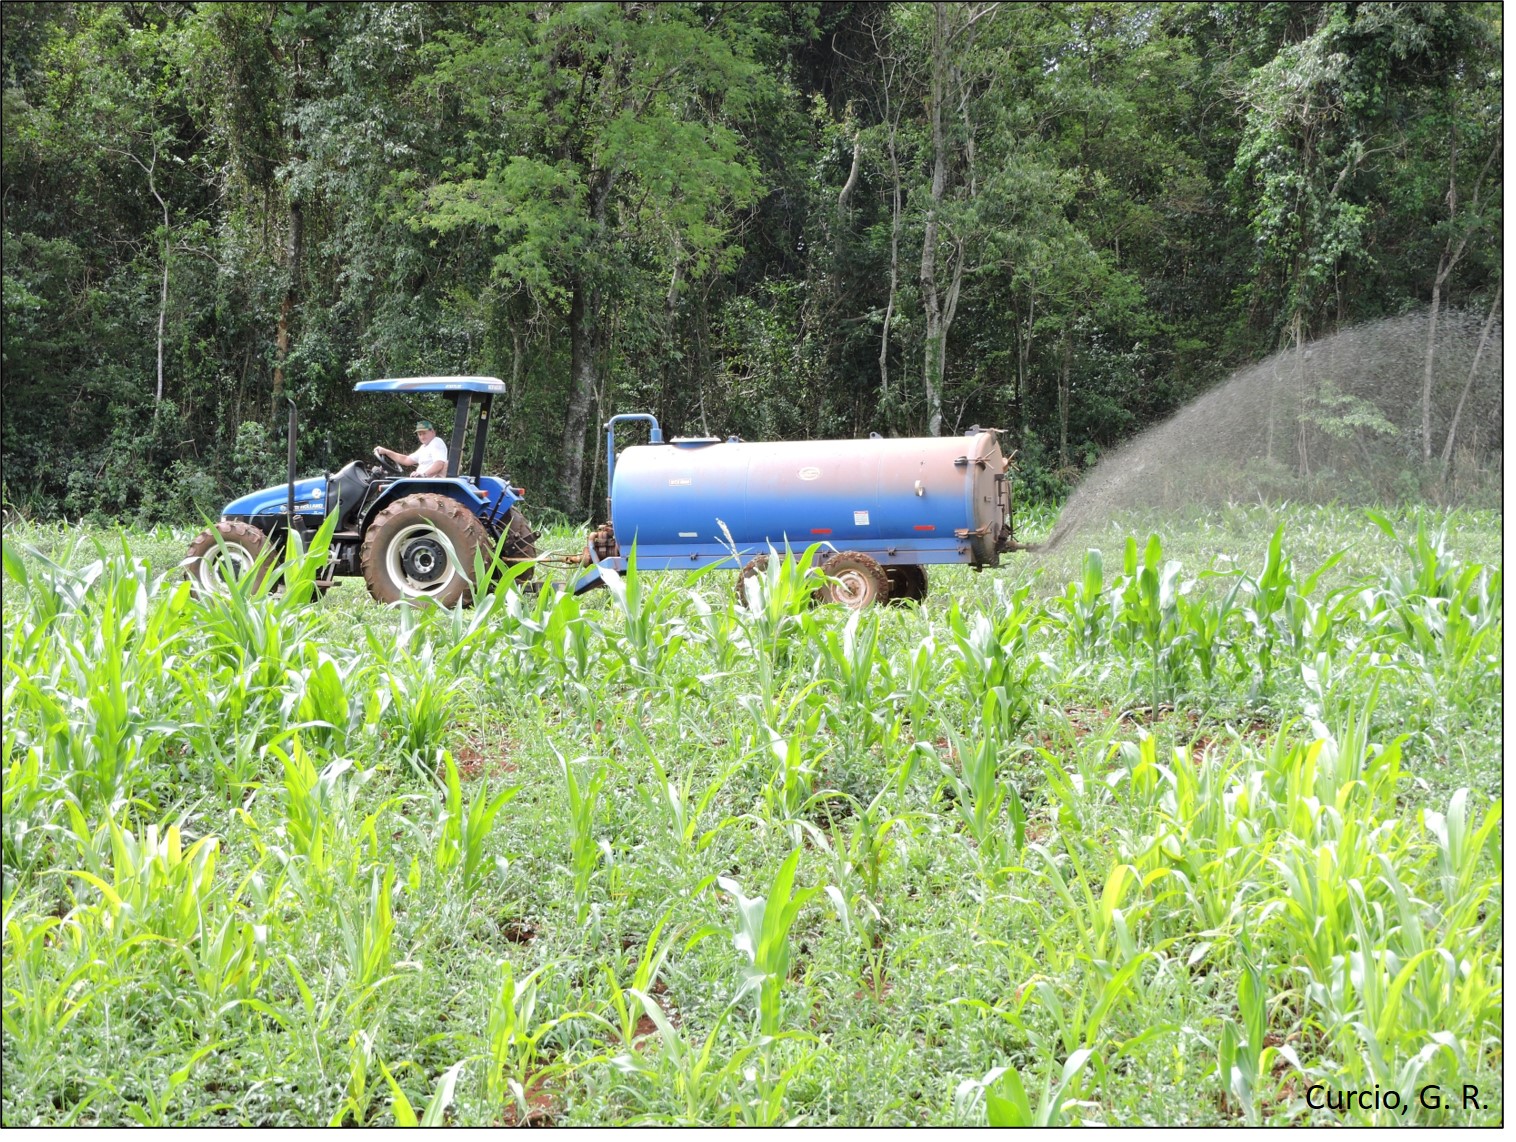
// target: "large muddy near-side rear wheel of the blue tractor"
[[422, 550]]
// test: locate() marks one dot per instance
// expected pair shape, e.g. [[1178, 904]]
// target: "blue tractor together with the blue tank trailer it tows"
[[883, 510]]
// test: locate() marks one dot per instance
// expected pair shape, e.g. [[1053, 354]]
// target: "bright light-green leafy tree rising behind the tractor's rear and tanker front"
[[604, 143]]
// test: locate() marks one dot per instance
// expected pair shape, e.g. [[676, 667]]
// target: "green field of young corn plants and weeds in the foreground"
[[1167, 836]]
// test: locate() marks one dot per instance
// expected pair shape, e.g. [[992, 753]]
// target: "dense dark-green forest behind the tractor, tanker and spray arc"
[[780, 221]]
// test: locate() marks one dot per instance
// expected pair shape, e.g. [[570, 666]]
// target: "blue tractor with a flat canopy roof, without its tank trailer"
[[412, 539]]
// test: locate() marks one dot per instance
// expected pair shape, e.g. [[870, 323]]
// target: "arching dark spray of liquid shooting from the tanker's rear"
[[1333, 421]]
